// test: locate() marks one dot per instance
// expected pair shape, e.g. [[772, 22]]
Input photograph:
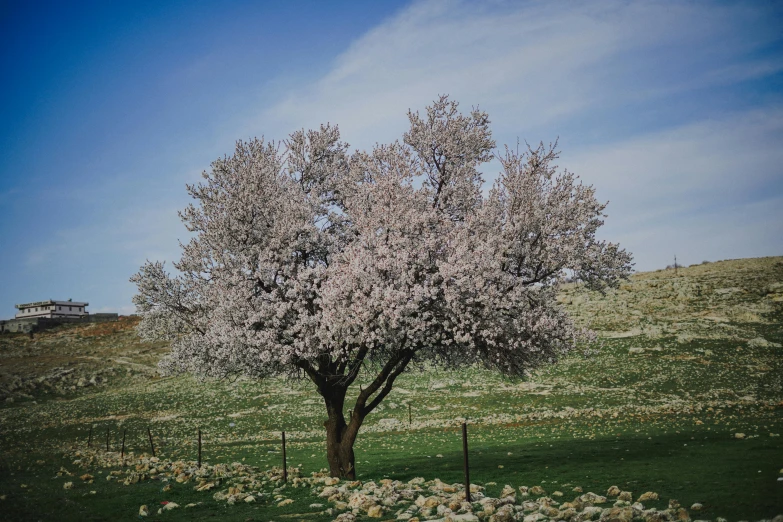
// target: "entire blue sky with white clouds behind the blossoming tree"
[[673, 110]]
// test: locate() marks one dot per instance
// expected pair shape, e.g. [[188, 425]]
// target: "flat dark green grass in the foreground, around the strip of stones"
[[732, 478]]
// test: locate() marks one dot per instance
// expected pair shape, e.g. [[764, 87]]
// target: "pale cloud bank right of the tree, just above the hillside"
[[710, 190]]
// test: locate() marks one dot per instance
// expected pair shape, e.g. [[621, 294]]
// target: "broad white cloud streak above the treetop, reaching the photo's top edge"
[[534, 64]]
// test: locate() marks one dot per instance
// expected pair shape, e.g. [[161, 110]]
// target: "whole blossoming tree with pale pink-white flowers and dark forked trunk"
[[308, 261]]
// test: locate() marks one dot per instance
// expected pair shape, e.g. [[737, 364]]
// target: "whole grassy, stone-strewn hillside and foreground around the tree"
[[684, 399]]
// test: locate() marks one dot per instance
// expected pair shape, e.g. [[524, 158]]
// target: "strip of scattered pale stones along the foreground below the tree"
[[346, 501]]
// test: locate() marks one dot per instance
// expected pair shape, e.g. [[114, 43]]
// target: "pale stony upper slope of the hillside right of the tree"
[[720, 300]]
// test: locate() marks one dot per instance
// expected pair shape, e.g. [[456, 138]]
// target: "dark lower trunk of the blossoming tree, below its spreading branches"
[[340, 437]]
